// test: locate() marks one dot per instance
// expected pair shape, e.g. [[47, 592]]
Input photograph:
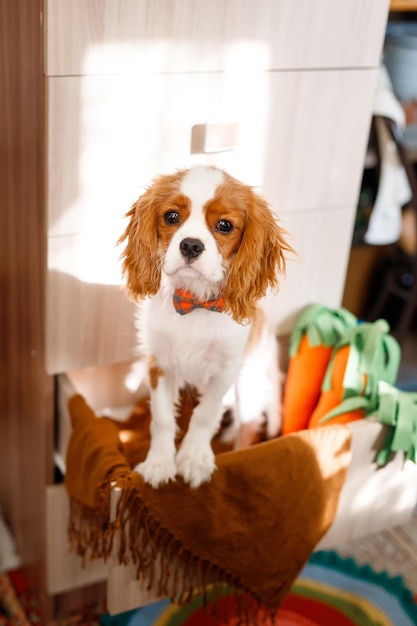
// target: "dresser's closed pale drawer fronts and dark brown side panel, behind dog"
[[98, 96]]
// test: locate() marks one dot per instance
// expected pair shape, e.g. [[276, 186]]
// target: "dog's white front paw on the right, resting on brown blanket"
[[195, 462]]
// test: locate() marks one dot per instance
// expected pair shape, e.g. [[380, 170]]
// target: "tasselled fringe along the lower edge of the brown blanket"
[[161, 561]]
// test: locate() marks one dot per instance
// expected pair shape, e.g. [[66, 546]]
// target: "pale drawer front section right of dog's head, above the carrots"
[[322, 240]]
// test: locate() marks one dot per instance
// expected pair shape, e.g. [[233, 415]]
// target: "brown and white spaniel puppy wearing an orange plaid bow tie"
[[201, 250]]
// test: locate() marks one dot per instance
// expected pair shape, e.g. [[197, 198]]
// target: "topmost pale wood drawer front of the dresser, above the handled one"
[[129, 36]]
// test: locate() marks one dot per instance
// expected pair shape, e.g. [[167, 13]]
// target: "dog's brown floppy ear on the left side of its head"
[[141, 263]]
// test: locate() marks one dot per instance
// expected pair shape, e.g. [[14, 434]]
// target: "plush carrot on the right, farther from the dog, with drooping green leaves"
[[364, 356]]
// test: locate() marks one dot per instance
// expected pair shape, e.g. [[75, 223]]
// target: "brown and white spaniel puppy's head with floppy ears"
[[204, 231]]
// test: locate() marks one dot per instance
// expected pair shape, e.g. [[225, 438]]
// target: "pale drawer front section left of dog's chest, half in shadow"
[[89, 319]]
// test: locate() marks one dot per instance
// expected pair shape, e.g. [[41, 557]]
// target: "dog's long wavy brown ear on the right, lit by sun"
[[259, 261]]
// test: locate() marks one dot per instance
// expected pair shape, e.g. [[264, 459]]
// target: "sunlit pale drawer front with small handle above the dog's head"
[[302, 140]]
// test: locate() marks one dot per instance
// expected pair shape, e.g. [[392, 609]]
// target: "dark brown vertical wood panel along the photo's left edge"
[[26, 421]]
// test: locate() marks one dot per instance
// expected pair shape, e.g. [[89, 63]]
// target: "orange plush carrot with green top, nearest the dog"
[[316, 332]]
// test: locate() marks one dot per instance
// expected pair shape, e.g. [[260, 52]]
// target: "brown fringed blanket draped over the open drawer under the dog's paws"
[[253, 526]]
